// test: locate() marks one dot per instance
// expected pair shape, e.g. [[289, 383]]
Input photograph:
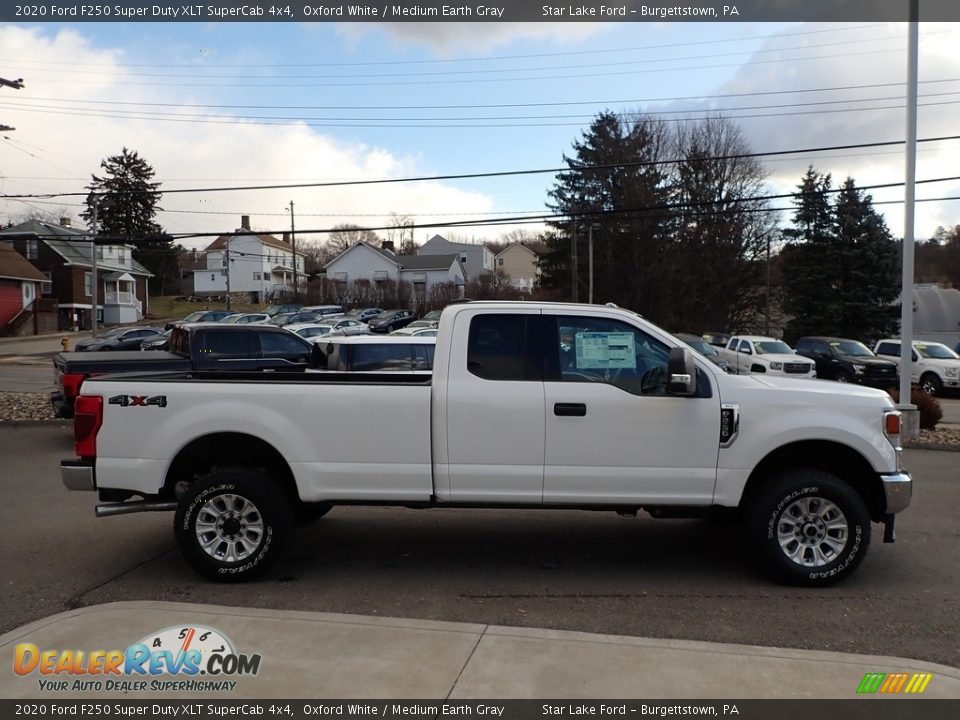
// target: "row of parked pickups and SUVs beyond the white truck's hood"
[[935, 368]]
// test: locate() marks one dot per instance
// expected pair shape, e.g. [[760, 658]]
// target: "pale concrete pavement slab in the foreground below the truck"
[[327, 655]]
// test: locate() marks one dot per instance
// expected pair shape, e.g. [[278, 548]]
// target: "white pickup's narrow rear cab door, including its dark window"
[[488, 431]]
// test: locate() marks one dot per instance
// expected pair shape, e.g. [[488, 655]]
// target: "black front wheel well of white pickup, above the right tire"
[[833, 457]]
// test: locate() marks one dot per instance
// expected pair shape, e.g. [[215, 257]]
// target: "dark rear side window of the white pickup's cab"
[[505, 347]]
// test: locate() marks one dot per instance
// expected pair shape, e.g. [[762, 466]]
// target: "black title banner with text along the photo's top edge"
[[476, 11]]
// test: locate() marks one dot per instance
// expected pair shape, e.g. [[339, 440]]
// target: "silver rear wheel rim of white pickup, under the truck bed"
[[229, 528]]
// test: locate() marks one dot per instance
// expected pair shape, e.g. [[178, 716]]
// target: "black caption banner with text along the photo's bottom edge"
[[865, 709]]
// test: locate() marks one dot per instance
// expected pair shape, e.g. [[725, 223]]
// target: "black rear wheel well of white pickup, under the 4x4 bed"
[[203, 454]]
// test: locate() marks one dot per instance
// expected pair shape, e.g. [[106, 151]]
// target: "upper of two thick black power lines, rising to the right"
[[506, 173]]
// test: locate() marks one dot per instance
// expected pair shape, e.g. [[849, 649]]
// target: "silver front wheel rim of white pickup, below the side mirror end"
[[812, 532]]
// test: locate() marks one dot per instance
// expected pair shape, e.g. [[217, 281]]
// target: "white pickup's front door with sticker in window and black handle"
[[613, 433]]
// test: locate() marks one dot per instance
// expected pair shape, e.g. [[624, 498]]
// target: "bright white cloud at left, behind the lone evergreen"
[[52, 152]]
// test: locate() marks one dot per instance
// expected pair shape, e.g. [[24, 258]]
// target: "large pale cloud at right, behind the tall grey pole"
[[860, 64]]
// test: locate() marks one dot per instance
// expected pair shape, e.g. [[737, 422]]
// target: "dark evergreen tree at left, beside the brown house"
[[127, 204]]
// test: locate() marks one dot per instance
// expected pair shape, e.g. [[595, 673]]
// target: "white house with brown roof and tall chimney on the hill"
[[259, 264]]
